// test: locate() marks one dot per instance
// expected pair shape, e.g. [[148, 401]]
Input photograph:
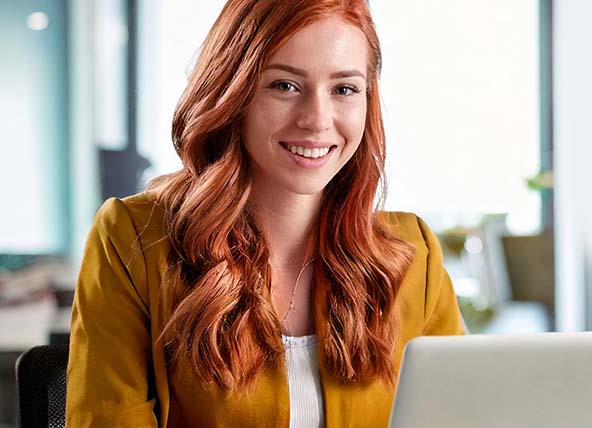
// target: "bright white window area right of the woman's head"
[[460, 88]]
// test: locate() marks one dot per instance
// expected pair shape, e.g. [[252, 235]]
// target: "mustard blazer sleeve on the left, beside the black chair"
[[108, 379]]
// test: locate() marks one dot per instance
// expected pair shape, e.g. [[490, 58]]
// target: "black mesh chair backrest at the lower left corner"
[[41, 387]]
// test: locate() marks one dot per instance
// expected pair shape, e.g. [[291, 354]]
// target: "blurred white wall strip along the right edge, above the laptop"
[[572, 86]]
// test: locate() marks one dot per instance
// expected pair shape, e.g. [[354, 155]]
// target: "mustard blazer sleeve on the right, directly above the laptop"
[[441, 311]]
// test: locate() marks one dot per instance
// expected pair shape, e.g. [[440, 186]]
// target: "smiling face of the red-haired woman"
[[308, 114]]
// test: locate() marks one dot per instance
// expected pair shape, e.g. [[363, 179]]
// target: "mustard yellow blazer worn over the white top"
[[117, 376]]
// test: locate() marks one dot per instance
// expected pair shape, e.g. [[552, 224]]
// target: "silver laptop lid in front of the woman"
[[496, 381]]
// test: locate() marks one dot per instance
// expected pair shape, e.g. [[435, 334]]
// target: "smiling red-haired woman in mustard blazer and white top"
[[257, 287]]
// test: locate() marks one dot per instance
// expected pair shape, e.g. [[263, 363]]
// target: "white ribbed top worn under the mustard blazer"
[[306, 397]]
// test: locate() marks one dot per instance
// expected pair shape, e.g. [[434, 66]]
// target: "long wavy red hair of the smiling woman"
[[221, 324]]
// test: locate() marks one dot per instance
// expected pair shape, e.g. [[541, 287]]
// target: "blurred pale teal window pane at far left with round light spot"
[[33, 128]]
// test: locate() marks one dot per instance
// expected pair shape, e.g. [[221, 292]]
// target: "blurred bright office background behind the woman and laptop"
[[488, 119]]
